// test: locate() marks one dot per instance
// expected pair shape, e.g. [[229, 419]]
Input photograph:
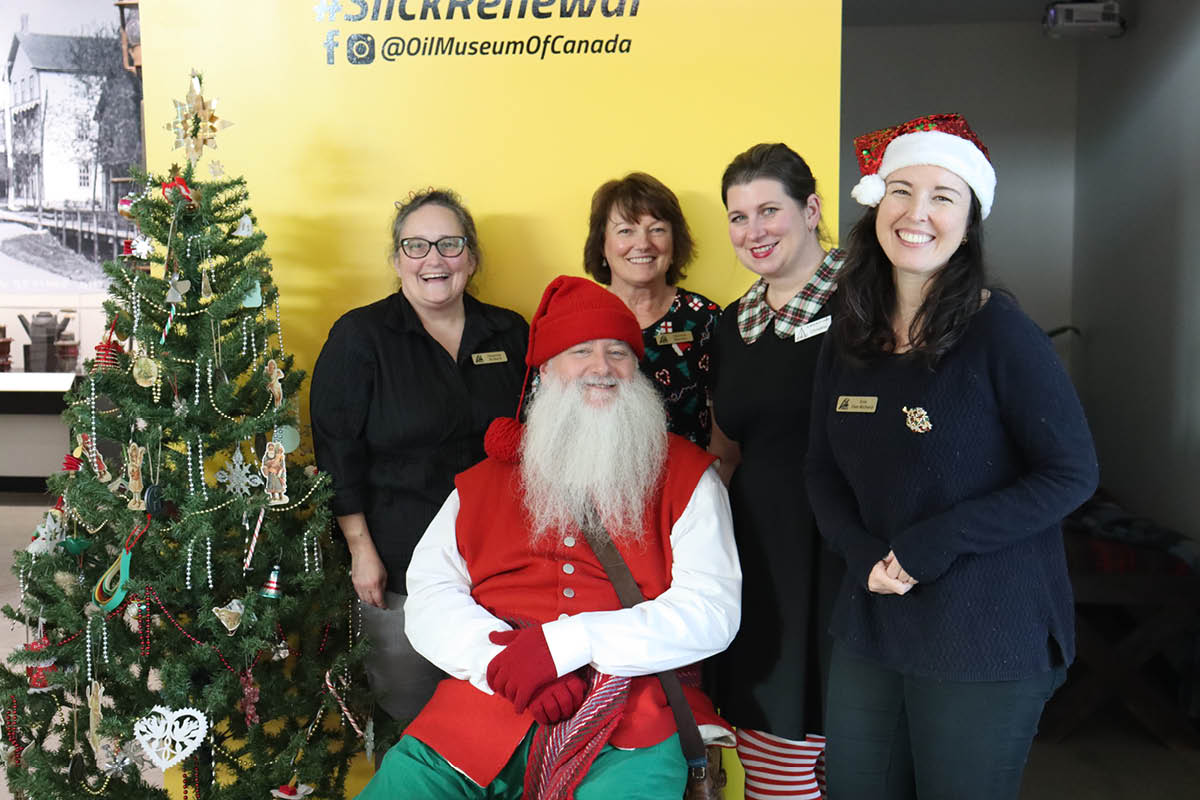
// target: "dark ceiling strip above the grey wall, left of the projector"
[[928, 13]]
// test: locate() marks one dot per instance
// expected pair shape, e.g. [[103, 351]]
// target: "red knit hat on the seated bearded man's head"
[[575, 310]]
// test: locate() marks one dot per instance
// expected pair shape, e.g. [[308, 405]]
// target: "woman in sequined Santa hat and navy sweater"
[[947, 447]]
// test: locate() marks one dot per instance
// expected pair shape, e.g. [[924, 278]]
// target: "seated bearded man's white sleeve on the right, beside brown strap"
[[694, 619]]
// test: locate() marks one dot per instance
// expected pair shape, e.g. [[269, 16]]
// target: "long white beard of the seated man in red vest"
[[581, 461]]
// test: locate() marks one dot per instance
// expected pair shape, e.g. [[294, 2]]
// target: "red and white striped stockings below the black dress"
[[782, 768]]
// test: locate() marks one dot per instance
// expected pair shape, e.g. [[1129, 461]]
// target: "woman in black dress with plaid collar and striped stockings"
[[770, 682]]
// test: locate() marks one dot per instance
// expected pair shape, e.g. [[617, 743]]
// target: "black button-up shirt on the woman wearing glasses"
[[395, 418]]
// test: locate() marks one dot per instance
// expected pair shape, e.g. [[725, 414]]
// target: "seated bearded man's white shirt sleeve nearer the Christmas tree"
[[442, 621]]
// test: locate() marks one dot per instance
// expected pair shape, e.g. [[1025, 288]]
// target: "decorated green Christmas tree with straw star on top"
[[184, 601]]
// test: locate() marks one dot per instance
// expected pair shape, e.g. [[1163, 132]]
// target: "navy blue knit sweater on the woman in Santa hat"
[[973, 508]]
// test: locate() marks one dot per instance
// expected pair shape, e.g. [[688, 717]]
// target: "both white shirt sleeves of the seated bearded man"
[[694, 619]]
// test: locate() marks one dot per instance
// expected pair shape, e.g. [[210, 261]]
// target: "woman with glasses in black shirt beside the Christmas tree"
[[403, 394]]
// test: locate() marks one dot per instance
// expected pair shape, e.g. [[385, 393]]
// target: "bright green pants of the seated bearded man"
[[412, 769]]
